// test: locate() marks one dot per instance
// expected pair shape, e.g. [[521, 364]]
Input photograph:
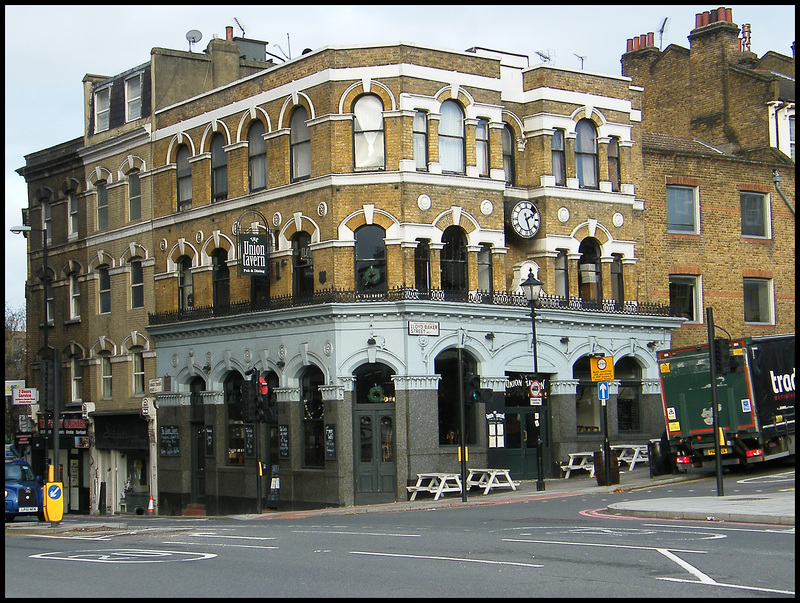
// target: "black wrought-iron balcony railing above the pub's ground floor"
[[335, 296]]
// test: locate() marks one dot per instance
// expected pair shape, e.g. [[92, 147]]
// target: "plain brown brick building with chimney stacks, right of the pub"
[[719, 158]]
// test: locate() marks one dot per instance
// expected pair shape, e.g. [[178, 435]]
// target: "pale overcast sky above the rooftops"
[[49, 49]]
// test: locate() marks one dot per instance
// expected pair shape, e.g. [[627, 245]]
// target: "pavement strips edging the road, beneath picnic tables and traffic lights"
[[776, 508]]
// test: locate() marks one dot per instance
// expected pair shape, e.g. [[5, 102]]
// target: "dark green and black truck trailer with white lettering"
[[755, 402]]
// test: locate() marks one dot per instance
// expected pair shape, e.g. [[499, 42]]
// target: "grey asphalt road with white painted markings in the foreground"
[[553, 546]]
